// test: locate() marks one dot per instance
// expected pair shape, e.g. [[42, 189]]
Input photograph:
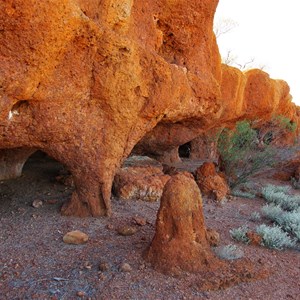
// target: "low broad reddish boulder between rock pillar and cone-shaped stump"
[[140, 179]]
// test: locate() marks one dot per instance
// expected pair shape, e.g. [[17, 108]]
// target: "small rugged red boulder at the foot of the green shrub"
[[210, 182]]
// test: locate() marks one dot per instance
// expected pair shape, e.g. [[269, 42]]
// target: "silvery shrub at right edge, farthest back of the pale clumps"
[[280, 196]]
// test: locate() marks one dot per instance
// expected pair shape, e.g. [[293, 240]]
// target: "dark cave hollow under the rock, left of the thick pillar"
[[42, 182]]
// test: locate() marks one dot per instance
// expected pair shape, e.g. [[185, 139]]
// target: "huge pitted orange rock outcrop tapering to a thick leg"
[[85, 80]]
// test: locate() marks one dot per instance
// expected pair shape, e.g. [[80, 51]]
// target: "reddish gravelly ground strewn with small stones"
[[35, 263]]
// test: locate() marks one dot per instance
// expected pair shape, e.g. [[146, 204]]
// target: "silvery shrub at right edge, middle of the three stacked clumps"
[[288, 221]]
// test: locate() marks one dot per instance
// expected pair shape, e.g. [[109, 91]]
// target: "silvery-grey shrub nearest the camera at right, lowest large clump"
[[274, 237]]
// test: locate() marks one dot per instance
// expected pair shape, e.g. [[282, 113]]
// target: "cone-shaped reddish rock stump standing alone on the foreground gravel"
[[180, 242]]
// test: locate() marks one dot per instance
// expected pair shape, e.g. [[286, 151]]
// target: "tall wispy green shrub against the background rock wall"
[[240, 156]]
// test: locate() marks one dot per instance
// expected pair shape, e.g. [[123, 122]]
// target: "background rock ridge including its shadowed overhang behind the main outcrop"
[[251, 95]]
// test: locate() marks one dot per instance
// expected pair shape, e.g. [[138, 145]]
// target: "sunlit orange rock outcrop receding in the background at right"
[[252, 95]]
